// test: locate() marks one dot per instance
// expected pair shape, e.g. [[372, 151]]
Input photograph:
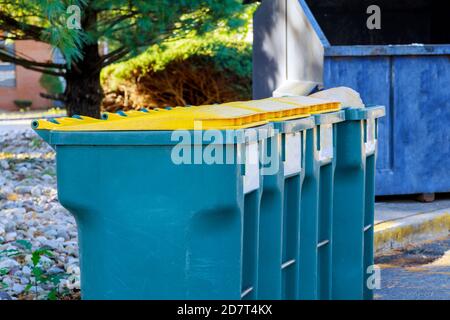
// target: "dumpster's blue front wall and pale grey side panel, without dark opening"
[[410, 80]]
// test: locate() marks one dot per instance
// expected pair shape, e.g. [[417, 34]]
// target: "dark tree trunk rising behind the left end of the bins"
[[84, 93]]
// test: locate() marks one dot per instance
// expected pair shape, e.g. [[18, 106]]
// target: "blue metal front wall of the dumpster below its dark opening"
[[409, 80]]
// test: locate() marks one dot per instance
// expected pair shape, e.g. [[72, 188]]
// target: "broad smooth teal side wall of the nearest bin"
[[150, 228]]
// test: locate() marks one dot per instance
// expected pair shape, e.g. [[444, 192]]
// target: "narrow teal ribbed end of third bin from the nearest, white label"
[[316, 208]]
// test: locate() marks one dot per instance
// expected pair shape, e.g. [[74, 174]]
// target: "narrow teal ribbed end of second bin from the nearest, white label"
[[282, 172]]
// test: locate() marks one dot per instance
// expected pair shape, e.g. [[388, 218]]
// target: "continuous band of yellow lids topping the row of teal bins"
[[234, 115]]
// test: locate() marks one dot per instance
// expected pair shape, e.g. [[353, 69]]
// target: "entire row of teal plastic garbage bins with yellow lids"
[[265, 199]]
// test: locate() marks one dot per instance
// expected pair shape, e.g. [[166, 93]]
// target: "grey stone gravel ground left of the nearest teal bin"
[[38, 237]]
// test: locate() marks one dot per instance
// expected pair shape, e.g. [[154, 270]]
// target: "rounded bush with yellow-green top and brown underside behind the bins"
[[188, 69]]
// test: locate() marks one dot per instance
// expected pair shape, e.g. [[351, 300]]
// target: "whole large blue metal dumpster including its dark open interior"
[[405, 66]]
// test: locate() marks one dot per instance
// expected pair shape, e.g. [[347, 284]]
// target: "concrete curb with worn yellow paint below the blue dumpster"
[[415, 228]]
